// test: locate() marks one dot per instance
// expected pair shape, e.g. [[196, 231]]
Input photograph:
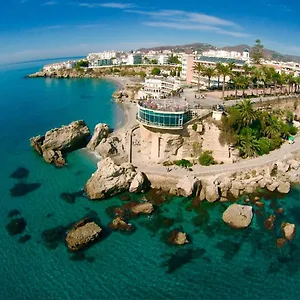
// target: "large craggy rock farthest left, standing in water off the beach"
[[59, 141]]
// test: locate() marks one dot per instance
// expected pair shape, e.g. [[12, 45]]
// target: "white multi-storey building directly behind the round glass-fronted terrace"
[[159, 87]]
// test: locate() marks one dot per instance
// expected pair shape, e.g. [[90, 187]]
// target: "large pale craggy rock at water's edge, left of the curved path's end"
[[109, 179]]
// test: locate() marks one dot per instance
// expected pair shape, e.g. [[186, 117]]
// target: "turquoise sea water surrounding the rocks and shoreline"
[[219, 263]]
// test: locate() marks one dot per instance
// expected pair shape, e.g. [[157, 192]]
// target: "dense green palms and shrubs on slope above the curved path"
[[255, 132]]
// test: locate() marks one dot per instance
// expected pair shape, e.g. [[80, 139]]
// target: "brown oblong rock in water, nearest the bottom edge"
[[82, 234]]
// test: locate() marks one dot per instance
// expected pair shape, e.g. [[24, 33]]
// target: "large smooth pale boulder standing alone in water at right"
[[238, 216]]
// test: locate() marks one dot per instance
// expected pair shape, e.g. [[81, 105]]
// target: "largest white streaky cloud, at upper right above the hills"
[[184, 20]]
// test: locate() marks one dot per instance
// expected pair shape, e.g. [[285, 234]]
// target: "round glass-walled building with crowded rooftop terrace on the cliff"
[[170, 113]]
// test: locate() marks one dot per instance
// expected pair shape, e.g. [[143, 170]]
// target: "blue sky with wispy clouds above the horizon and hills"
[[36, 29]]
